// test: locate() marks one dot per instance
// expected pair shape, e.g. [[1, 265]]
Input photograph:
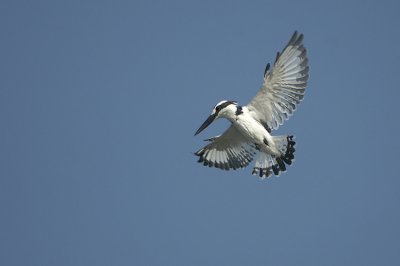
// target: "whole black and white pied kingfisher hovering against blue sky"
[[249, 136]]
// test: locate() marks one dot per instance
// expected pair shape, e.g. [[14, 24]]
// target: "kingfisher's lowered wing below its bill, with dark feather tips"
[[228, 151]]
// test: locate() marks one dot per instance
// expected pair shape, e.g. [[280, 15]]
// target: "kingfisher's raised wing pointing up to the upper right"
[[283, 87]]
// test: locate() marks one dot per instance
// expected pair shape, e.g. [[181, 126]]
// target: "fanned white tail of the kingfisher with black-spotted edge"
[[267, 164]]
